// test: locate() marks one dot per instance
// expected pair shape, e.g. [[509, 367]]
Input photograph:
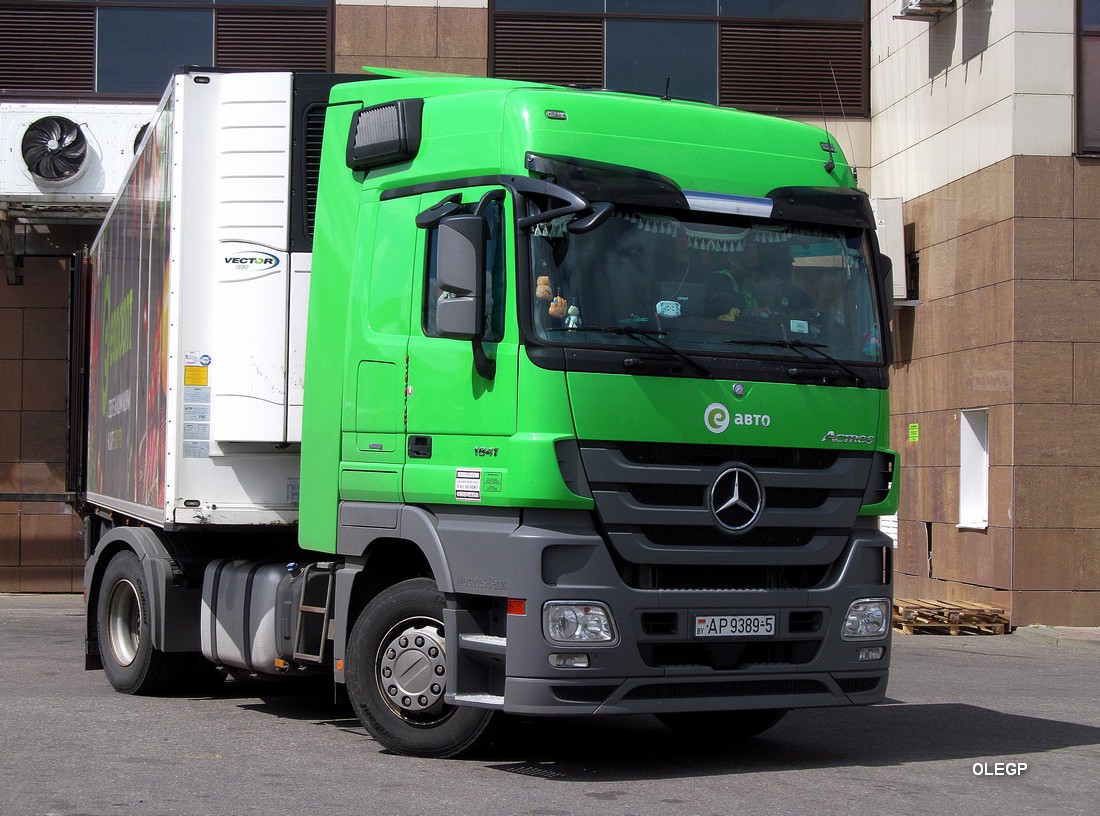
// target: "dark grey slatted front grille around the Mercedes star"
[[653, 502]]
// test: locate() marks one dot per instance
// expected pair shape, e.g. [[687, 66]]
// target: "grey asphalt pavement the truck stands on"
[[975, 725]]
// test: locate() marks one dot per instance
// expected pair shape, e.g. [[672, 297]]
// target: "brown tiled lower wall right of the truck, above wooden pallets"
[[1007, 324]]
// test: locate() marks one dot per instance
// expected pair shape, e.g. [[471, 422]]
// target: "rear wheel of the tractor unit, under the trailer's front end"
[[125, 632]]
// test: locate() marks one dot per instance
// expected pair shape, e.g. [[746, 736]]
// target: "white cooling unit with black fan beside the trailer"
[[59, 157]]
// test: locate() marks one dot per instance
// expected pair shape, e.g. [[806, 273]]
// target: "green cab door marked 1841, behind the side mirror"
[[460, 420]]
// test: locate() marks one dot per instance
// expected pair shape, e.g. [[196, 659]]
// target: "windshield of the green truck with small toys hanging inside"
[[722, 286]]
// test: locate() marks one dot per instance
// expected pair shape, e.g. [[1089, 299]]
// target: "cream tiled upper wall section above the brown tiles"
[[967, 91]]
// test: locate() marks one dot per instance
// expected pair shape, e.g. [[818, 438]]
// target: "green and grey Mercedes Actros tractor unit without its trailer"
[[595, 422]]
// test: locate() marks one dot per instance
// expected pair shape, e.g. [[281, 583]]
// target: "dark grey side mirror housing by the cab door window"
[[460, 275]]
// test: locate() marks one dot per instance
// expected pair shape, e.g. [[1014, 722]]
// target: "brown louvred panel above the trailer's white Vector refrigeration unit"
[[283, 40]]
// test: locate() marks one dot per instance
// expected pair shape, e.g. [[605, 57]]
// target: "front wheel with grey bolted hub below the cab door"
[[397, 676]]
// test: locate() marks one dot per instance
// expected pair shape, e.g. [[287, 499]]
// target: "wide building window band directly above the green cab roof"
[[779, 57]]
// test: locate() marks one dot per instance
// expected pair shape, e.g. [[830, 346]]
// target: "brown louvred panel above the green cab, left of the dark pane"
[[562, 52]]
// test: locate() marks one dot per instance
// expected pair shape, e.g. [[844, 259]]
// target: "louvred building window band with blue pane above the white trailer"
[[131, 50]]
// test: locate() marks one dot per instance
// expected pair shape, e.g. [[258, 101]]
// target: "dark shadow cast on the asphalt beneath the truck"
[[625, 748]]
